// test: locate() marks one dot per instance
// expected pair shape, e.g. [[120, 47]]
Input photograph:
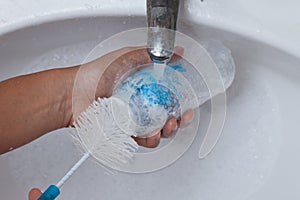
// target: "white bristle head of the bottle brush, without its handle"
[[98, 134]]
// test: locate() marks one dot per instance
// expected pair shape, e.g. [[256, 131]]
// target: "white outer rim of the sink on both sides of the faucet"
[[273, 20]]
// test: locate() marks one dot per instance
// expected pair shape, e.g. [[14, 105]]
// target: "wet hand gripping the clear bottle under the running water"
[[110, 68]]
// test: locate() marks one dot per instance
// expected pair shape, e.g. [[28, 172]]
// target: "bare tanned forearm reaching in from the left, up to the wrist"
[[33, 105]]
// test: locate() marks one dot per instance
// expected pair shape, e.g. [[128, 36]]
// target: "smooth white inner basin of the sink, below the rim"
[[255, 157]]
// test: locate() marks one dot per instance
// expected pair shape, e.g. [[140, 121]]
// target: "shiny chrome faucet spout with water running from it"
[[162, 20]]
